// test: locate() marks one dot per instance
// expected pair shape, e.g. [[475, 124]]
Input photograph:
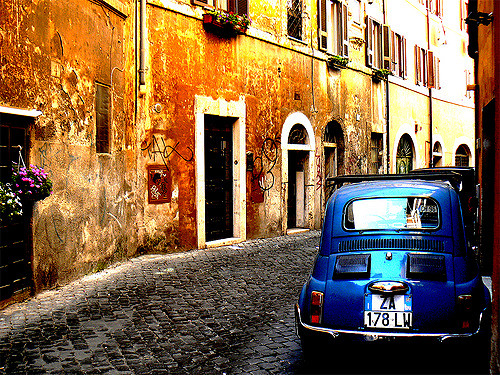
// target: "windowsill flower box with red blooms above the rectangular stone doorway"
[[225, 24]]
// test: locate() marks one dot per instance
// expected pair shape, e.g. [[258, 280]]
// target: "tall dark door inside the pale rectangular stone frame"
[[218, 177]]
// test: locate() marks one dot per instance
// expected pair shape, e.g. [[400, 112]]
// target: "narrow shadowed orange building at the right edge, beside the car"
[[483, 47]]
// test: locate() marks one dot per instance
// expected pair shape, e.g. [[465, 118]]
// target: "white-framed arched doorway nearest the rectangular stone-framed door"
[[297, 143]]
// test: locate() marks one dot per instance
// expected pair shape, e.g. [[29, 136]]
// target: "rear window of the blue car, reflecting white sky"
[[392, 213]]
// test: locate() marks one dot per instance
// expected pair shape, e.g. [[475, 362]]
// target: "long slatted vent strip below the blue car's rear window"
[[392, 243]]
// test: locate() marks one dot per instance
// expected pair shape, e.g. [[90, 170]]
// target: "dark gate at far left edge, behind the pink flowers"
[[15, 258]]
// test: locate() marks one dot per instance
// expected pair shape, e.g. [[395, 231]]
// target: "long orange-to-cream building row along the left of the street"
[[169, 124]]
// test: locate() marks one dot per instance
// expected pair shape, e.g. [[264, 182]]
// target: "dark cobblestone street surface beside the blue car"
[[223, 310]]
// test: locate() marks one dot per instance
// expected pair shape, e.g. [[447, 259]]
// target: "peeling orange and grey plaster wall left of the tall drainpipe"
[[51, 56]]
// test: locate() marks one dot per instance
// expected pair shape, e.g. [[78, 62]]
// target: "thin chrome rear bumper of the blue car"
[[341, 334]]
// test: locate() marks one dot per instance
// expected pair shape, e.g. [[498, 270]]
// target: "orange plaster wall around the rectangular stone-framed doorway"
[[276, 77]]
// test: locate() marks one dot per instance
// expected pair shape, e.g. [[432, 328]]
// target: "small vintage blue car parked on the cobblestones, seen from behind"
[[394, 262]]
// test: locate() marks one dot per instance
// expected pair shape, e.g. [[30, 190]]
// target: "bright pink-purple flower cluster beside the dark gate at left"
[[31, 183]]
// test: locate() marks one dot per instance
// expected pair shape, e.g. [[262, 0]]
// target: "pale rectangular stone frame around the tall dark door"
[[219, 107]]
